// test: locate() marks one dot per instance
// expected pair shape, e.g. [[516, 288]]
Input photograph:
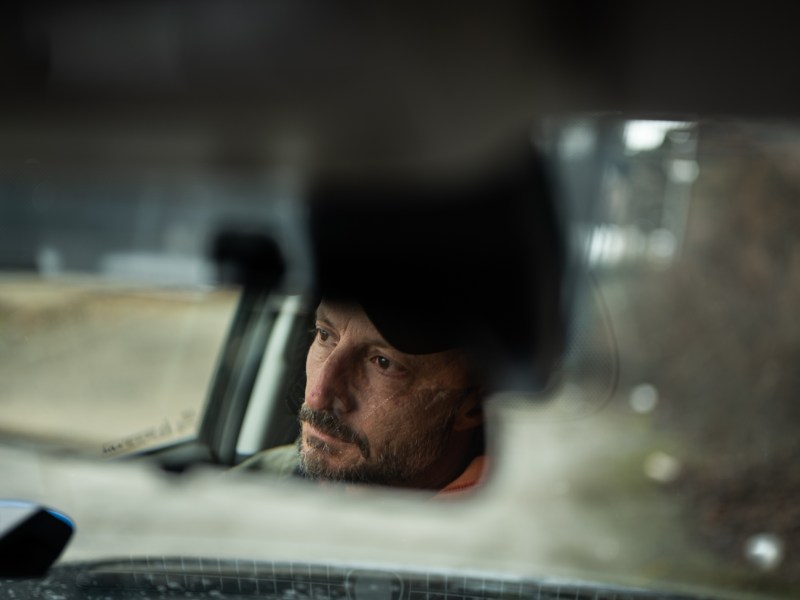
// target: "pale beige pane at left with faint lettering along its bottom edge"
[[106, 368]]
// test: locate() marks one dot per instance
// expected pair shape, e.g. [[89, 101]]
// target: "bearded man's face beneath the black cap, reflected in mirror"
[[375, 415]]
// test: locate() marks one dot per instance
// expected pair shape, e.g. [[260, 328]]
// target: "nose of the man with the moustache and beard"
[[329, 383]]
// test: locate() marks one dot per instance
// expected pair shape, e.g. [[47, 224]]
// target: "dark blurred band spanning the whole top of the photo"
[[365, 86]]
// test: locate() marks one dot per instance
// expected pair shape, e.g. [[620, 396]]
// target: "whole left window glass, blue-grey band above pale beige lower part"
[[112, 314]]
